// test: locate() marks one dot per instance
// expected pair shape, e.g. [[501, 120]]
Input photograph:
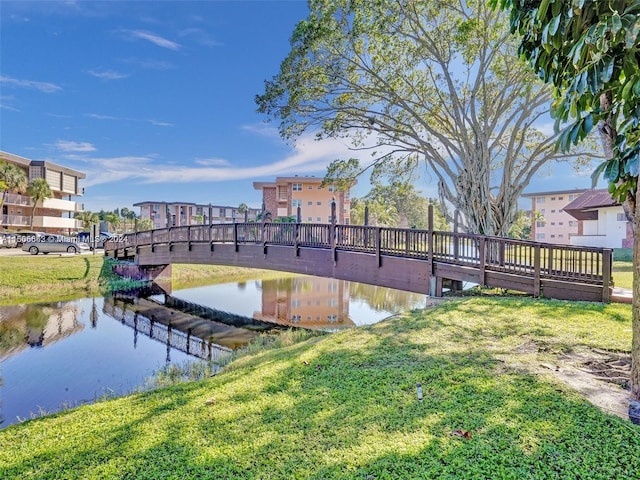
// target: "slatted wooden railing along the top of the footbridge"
[[521, 257]]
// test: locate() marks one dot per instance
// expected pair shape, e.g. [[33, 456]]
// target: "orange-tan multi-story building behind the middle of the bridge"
[[283, 197]]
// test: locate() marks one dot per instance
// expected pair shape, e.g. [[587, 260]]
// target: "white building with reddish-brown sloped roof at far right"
[[602, 221]]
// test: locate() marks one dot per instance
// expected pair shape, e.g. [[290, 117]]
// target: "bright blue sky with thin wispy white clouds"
[[154, 100]]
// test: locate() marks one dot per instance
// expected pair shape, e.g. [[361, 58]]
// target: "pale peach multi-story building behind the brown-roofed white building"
[[556, 226]]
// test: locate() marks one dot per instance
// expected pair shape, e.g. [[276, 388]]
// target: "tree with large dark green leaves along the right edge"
[[590, 52]]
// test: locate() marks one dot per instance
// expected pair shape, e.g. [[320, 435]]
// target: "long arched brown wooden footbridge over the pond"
[[422, 261]]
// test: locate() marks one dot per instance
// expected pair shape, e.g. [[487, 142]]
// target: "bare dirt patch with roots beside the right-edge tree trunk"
[[602, 377]]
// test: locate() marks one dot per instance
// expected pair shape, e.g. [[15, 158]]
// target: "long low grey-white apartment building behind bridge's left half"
[[176, 214]]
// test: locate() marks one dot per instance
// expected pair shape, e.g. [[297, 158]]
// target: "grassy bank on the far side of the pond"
[[30, 279]]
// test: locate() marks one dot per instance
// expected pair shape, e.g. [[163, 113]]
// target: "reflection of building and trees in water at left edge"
[[36, 325]]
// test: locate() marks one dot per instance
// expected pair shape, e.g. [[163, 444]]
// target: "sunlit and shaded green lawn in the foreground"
[[345, 406]]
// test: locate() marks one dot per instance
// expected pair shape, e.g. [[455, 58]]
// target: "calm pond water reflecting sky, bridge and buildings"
[[60, 355]]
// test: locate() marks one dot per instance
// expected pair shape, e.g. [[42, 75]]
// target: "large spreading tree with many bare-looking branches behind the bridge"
[[438, 82]]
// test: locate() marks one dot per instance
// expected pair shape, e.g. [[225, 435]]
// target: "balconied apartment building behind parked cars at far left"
[[53, 215]]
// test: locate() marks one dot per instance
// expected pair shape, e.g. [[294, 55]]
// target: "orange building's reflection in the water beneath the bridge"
[[310, 302]]
